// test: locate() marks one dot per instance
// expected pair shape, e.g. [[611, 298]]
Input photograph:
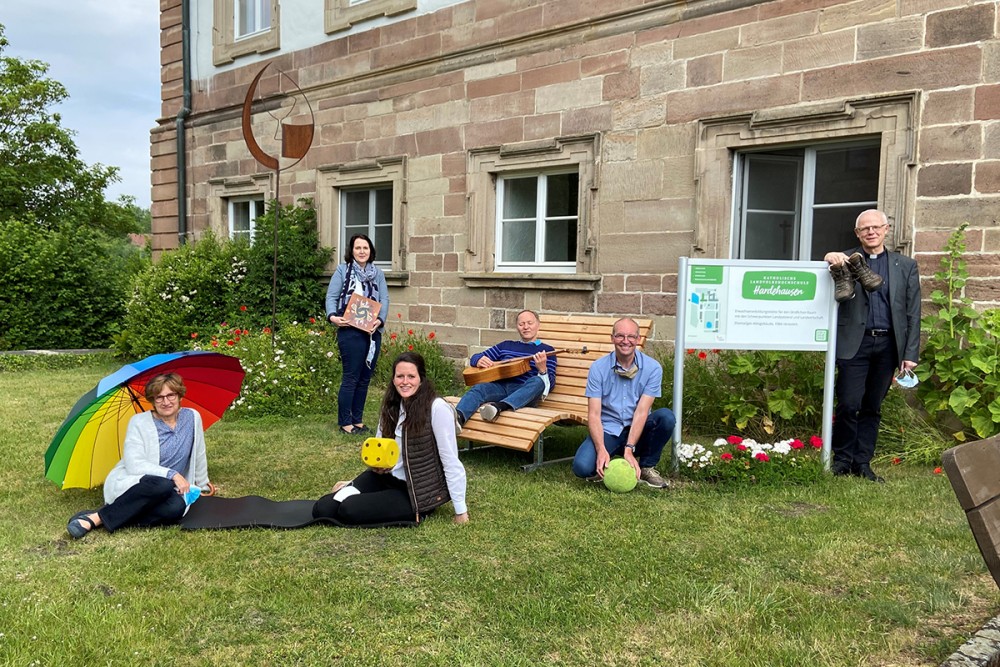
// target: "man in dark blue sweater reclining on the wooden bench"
[[516, 392]]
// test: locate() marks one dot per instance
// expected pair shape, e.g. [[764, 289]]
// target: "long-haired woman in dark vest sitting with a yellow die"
[[428, 472]]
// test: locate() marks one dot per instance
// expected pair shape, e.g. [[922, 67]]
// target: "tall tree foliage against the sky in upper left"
[[43, 180]]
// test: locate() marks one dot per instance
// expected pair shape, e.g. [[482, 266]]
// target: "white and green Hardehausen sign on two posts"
[[756, 305]]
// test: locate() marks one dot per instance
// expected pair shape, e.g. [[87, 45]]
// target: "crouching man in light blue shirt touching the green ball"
[[620, 391]]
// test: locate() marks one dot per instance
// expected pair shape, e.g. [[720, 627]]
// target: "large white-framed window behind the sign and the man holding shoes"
[[798, 203]]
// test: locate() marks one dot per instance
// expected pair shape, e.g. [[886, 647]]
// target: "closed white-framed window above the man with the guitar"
[[537, 218]]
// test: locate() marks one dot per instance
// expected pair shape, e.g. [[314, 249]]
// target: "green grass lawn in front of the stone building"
[[550, 571]]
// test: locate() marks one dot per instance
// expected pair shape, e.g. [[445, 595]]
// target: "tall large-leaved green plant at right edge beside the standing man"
[[958, 370]]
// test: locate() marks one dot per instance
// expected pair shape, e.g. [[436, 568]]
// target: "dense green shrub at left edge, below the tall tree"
[[62, 288]]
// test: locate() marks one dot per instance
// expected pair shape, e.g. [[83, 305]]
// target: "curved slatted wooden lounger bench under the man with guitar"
[[522, 429]]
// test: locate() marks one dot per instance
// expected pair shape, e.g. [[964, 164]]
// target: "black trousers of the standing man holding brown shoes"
[[862, 383]]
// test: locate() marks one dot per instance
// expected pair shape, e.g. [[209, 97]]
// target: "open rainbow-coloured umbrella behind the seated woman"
[[89, 442]]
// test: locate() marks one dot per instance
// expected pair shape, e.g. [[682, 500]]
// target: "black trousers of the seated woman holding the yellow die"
[[383, 499]]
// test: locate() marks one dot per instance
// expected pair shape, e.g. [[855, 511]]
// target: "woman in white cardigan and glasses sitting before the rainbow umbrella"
[[146, 487]]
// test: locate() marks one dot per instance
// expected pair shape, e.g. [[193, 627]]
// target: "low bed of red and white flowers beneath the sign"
[[738, 460]]
